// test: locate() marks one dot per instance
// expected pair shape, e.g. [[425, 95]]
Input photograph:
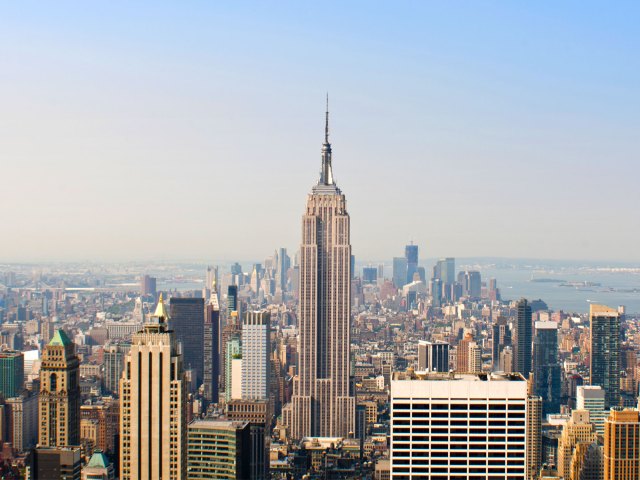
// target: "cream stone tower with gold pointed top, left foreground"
[[153, 424]]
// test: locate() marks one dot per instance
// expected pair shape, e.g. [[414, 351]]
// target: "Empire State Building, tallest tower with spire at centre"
[[322, 403]]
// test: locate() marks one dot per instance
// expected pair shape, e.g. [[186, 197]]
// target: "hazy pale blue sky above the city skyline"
[[192, 130]]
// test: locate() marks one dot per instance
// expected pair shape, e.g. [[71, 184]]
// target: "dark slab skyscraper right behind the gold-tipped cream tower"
[[187, 322]]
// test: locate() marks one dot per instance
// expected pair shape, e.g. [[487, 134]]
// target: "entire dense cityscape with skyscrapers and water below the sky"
[[315, 364]]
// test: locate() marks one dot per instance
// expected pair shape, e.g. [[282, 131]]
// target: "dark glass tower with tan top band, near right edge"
[[605, 352]]
